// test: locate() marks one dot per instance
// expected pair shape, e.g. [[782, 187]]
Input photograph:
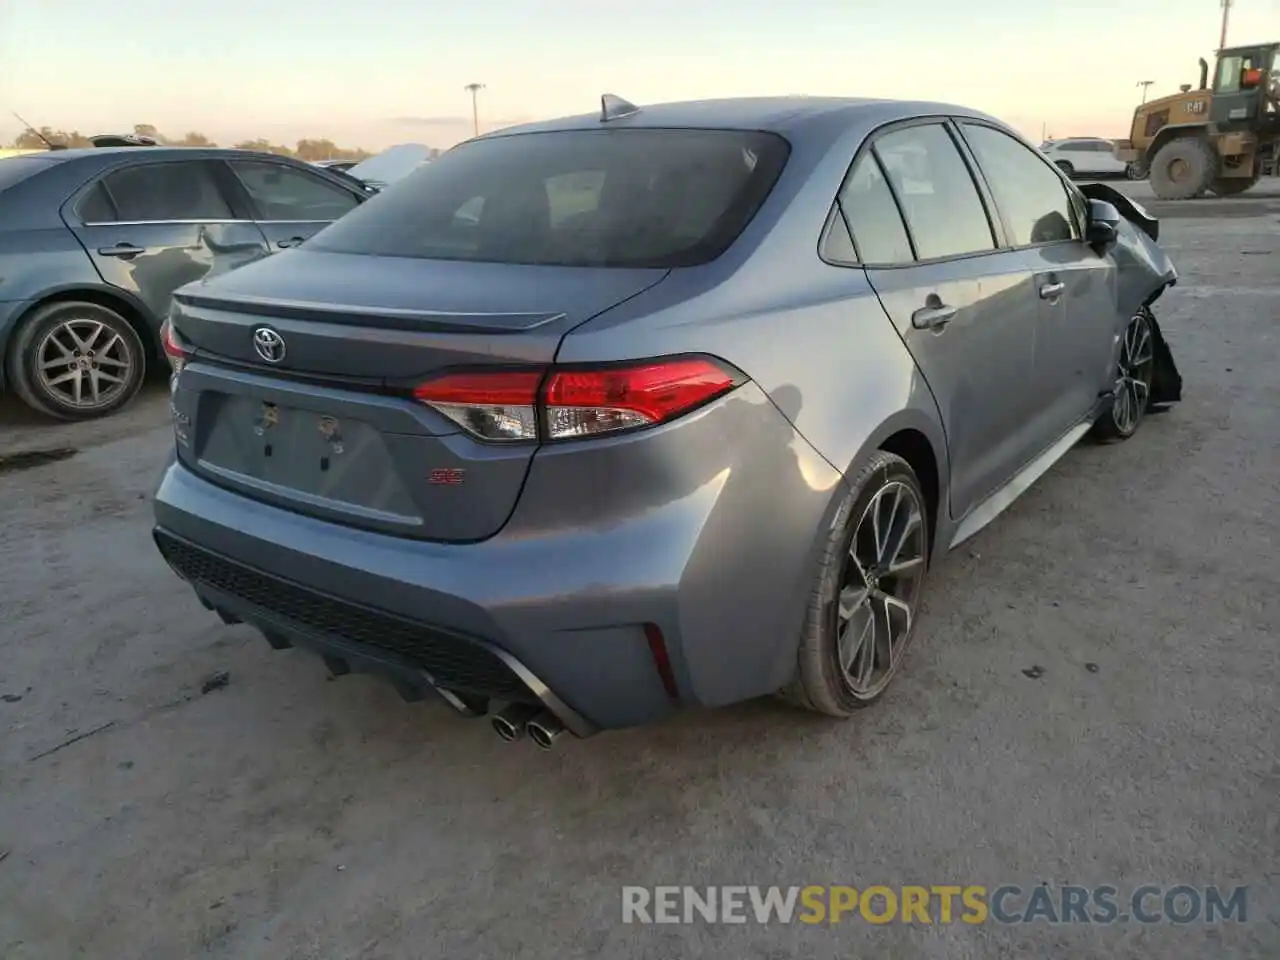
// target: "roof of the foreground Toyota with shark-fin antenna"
[[785, 116]]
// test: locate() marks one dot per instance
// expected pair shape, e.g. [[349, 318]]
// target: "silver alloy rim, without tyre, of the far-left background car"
[[84, 364]]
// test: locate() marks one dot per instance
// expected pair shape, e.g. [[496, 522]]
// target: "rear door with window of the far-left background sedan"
[[152, 226]]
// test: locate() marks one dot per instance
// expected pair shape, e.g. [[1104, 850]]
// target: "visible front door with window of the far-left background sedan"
[[291, 204]]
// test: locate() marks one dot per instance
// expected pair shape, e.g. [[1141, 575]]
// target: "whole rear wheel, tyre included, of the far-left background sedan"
[[76, 360]]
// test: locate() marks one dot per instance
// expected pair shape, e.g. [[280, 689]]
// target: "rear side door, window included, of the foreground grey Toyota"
[[964, 308]]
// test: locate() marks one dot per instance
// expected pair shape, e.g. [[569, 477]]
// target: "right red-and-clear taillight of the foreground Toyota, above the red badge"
[[577, 401]]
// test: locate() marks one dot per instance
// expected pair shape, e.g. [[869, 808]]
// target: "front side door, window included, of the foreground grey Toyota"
[[1044, 218]]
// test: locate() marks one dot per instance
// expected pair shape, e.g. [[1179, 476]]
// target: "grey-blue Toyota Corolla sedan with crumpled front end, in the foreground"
[[601, 418]]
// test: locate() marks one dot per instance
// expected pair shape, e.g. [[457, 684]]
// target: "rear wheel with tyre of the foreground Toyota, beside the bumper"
[[863, 611]]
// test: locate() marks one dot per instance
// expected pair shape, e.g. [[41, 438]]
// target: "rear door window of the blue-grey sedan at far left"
[[177, 191]]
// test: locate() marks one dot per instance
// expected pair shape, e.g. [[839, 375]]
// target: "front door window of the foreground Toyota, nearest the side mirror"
[[1030, 194]]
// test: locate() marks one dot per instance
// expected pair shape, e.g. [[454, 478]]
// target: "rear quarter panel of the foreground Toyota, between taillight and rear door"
[[813, 336]]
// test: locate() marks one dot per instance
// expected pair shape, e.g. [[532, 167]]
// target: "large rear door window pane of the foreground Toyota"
[[944, 211]]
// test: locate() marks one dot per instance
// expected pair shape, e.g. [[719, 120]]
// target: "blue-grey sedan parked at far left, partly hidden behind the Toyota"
[[95, 241]]
